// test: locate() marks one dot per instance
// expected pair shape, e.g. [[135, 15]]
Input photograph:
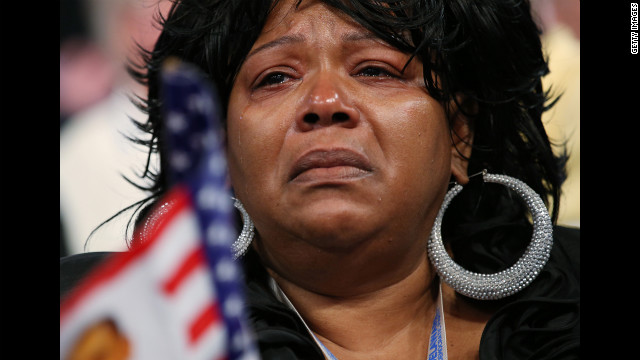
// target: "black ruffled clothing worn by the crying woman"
[[542, 322]]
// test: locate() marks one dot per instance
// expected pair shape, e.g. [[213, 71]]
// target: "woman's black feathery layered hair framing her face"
[[487, 51]]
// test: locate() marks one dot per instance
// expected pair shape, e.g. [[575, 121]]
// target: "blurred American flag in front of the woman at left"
[[178, 295]]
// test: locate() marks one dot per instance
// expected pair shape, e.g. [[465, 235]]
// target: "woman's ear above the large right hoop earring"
[[461, 139]]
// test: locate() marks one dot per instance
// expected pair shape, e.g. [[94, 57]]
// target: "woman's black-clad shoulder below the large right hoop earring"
[[549, 307]]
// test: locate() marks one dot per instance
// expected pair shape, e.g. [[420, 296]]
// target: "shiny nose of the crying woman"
[[327, 103]]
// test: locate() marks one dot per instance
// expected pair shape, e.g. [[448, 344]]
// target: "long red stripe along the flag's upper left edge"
[[118, 262]]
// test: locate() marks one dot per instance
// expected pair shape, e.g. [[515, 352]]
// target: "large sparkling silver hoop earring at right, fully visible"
[[506, 282]]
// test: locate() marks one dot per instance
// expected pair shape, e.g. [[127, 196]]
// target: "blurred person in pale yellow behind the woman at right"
[[560, 23]]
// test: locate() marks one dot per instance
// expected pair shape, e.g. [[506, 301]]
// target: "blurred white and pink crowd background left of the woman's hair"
[[97, 109]]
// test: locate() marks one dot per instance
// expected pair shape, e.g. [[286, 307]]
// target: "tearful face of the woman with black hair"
[[330, 145]]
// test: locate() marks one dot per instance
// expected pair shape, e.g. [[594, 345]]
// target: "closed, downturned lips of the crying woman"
[[329, 165]]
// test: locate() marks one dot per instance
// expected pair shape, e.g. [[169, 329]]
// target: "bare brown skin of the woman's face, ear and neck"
[[346, 241]]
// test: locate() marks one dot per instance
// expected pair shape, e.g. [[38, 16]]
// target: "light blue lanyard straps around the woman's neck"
[[437, 339]]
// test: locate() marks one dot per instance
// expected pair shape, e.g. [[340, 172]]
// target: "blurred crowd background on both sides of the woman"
[[98, 37]]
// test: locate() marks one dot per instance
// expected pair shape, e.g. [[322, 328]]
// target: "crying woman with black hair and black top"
[[347, 122]]
